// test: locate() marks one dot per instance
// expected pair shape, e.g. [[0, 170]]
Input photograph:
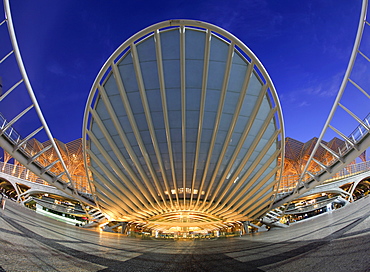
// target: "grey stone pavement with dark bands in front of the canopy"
[[336, 241]]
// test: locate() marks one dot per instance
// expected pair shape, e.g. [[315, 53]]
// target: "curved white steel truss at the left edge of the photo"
[[54, 172]]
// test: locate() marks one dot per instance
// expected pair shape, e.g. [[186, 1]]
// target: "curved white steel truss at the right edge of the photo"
[[355, 143]]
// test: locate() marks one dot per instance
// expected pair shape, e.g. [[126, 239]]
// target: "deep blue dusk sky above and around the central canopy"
[[304, 45]]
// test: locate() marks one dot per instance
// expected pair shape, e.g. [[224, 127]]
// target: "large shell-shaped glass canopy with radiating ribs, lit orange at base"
[[183, 127]]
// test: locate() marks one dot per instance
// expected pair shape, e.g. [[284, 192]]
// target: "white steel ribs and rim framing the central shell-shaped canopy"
[[151, 200]]
